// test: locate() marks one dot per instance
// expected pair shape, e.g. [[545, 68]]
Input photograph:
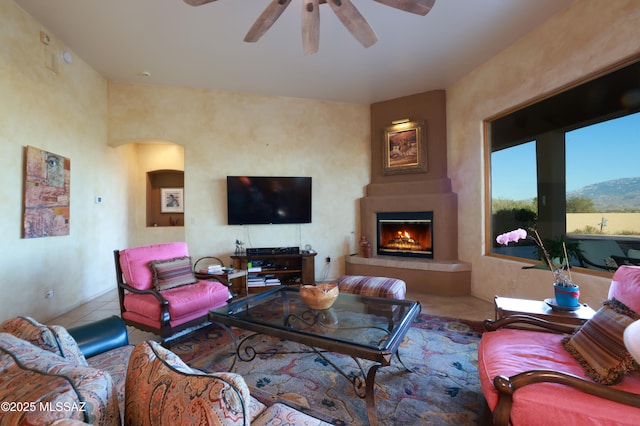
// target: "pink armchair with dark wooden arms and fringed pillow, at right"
[[584, 377]]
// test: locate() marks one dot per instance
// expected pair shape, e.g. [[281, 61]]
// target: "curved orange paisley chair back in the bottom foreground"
[[156, 377]]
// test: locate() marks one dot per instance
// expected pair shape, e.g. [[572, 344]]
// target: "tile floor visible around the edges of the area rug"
[[465, 307]]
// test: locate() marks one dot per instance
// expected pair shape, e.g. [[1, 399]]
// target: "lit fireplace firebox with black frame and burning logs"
[[407, 234]]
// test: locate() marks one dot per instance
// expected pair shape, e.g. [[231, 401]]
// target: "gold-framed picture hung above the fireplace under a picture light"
[[405, 148]]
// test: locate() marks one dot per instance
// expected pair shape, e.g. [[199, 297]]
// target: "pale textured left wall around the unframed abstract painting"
[[64, 113]]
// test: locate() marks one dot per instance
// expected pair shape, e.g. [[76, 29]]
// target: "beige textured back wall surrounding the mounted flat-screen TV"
[[244, 134]]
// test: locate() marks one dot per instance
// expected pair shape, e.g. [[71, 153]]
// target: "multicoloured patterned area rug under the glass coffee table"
[[441, 389]]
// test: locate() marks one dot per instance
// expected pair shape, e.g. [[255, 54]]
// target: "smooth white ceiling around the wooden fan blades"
[[202, 47]]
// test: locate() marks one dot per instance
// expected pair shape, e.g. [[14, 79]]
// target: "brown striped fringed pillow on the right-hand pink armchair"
[[599, 346]]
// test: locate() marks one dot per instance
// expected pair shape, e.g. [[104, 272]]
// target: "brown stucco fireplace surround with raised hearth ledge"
[[443, 274]]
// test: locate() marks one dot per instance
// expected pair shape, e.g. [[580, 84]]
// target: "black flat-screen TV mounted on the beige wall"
[[259, 200]]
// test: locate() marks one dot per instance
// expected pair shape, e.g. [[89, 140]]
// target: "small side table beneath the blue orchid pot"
[[536, 308]]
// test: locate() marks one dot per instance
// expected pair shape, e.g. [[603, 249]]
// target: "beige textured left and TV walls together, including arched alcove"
[[221, 133]]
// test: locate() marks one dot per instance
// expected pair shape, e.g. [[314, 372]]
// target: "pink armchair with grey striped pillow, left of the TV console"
[[159, 293]]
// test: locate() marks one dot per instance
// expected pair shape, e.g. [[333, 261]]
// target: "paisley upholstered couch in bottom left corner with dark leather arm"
[[46, 378]]
